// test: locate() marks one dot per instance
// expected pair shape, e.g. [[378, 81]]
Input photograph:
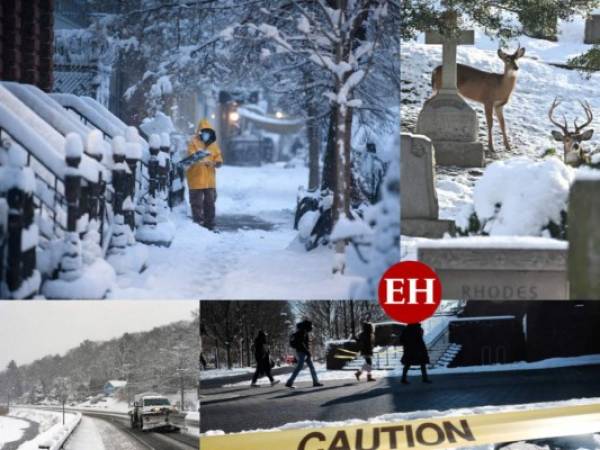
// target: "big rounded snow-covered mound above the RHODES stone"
[[520, 196]]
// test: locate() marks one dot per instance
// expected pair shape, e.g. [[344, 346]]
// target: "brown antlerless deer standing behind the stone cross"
[[491, 89]]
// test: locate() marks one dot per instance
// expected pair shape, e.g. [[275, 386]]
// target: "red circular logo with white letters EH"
[[410, 292]]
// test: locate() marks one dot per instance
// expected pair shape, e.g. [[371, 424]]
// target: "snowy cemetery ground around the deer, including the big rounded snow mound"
[[521, 192]]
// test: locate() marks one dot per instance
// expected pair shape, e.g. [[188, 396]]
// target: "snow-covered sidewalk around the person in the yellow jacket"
[[242, 264]]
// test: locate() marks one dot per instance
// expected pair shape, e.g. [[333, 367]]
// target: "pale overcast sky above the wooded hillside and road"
[[32, 329]]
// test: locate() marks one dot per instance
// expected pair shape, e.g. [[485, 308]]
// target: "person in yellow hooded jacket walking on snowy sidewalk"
[[201, 176]]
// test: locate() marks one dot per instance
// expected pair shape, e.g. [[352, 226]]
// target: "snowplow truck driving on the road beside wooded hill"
[[155, 412]]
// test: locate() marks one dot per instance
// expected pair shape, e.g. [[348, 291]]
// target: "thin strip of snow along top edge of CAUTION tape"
[[398, 417]]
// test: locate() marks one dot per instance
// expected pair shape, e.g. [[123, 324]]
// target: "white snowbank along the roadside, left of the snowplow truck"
[[54, 434]]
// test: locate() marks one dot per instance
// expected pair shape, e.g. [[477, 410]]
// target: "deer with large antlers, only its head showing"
[[574, 151]]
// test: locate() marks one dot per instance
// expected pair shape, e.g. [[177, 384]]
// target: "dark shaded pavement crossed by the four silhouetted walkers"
[[244, 408]]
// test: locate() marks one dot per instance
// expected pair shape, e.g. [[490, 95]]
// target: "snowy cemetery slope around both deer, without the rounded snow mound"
[[526, 113]]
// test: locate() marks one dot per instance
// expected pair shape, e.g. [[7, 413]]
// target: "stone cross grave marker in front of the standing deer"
[[446, 118]]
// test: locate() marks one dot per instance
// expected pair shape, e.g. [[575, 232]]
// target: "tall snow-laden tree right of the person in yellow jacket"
[[335, 44]]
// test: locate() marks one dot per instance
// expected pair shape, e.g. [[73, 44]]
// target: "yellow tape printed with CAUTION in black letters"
[[433, 433]]
